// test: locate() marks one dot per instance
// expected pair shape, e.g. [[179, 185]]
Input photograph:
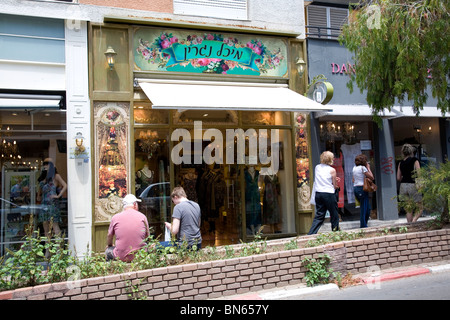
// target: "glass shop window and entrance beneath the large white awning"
[[219, 184]]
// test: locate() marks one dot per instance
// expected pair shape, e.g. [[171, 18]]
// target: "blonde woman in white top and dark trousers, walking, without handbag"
[[325, 185]]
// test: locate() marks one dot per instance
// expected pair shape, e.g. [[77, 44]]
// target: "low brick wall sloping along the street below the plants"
[[215, 279]]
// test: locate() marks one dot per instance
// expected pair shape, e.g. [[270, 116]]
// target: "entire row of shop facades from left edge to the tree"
[[144, 96]]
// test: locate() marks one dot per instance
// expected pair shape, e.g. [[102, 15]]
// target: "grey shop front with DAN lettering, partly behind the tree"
[[349, 130]]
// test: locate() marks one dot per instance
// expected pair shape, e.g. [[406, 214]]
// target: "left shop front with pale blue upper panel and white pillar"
[[40, 113]]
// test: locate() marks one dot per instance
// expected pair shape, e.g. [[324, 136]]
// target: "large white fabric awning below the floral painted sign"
[[173, 94]]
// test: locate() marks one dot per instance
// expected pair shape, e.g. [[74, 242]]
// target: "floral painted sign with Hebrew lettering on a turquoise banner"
[[203, 52]]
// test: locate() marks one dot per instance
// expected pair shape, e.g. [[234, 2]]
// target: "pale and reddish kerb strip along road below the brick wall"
[[366, 279]]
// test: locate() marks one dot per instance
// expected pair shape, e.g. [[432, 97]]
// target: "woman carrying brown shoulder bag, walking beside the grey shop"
[[360, 171]]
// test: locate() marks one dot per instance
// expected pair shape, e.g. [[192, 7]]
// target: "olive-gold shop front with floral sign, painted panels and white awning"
[[218, 113]]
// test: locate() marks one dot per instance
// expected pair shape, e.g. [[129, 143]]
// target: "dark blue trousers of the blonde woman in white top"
[[325, 201]]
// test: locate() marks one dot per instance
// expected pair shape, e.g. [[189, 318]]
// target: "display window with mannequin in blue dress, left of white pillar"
[[25, 143]]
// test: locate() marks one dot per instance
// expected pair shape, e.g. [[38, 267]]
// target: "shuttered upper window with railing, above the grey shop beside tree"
[[325, 22]]
